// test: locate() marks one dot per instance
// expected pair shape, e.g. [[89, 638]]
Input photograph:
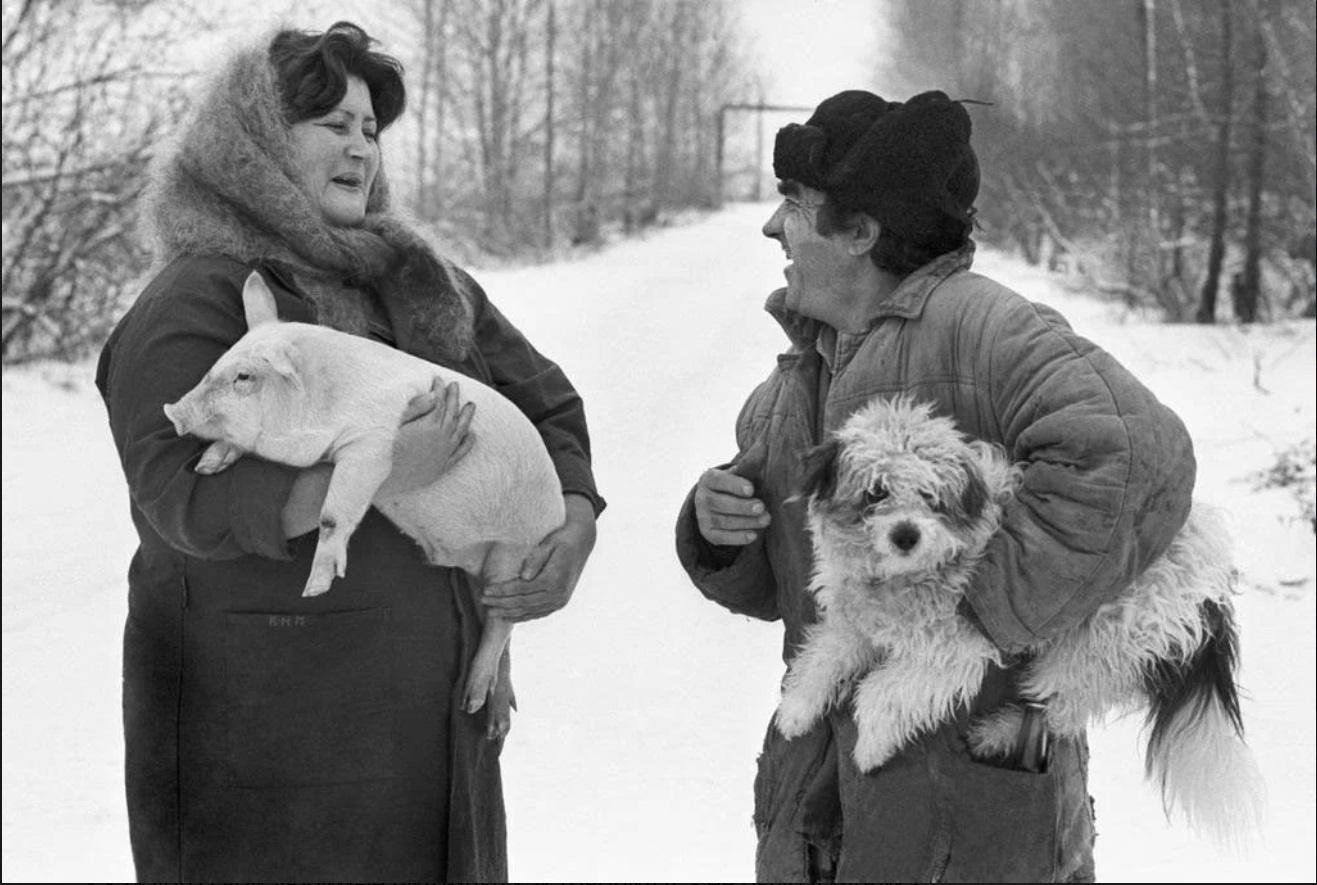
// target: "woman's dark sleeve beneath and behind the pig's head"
[[180, 327]]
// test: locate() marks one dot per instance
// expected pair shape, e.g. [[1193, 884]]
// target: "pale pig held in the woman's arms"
[[301, 394]]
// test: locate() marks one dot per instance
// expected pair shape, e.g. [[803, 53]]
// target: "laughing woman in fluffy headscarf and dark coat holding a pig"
[[272, 738]]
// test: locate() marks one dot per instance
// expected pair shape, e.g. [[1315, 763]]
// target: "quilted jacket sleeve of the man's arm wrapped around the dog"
[[1108, 479]]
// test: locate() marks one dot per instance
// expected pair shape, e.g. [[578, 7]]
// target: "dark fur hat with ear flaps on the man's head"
[[909, 165]]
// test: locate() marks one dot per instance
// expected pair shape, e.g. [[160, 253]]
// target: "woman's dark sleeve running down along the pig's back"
[[539, 388]]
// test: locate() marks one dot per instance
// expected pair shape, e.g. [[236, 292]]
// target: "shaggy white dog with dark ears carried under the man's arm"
[[901, 508]]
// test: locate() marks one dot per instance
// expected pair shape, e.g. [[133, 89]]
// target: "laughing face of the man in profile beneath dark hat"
[[819, 272]]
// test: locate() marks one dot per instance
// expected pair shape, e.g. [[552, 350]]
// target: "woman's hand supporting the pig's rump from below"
[[551, 571]]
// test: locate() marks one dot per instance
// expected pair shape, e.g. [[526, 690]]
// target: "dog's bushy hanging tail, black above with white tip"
[[1196, 753]]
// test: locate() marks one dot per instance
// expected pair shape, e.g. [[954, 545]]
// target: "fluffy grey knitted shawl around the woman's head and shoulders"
[[228, 185]]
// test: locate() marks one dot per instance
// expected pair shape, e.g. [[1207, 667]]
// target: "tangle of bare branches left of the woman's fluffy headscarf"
[[84, 106]]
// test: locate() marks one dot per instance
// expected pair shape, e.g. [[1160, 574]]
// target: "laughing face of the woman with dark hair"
[[338, 156]]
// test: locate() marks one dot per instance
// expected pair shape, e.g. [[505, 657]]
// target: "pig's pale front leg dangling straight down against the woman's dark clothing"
[[359, 472]]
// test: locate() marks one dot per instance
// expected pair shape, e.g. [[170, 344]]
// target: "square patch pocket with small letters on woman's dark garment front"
[[310, 699]]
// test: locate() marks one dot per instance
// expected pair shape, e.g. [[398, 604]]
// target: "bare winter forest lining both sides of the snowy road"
[[1161, 149]]
